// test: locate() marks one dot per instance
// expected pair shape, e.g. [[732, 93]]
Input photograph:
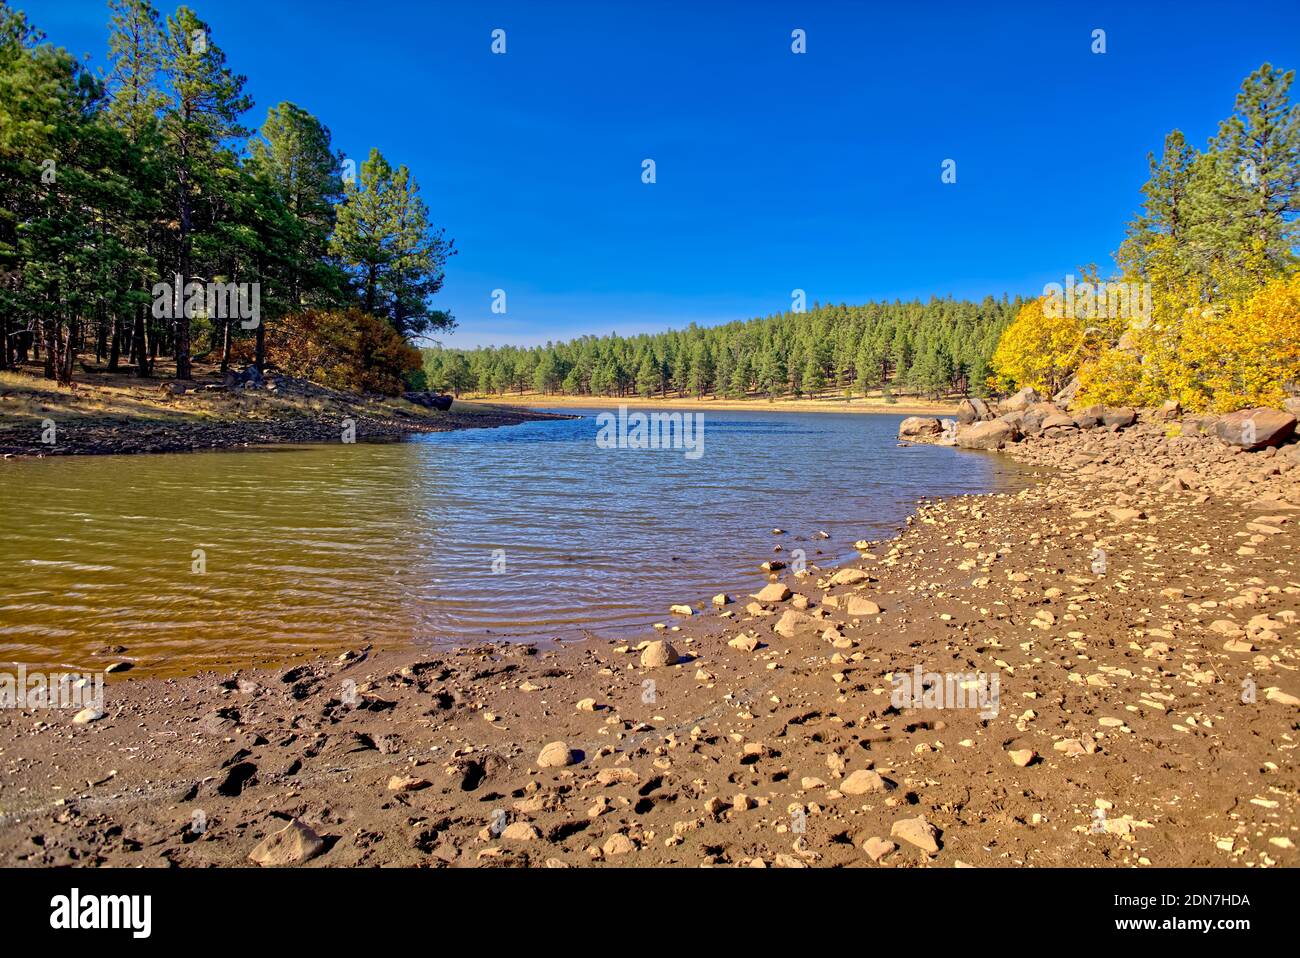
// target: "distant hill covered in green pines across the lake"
[[924, 349]]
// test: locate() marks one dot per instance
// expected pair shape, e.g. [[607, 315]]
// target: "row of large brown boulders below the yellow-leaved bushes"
[[1029, 414]]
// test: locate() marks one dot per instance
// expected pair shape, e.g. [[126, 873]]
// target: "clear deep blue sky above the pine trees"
[[775, 171]]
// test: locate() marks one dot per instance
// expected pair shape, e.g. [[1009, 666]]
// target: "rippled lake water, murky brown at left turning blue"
[[530, 532]]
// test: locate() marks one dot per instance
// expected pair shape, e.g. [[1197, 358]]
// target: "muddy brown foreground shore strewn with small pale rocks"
[[1142, 632]]
